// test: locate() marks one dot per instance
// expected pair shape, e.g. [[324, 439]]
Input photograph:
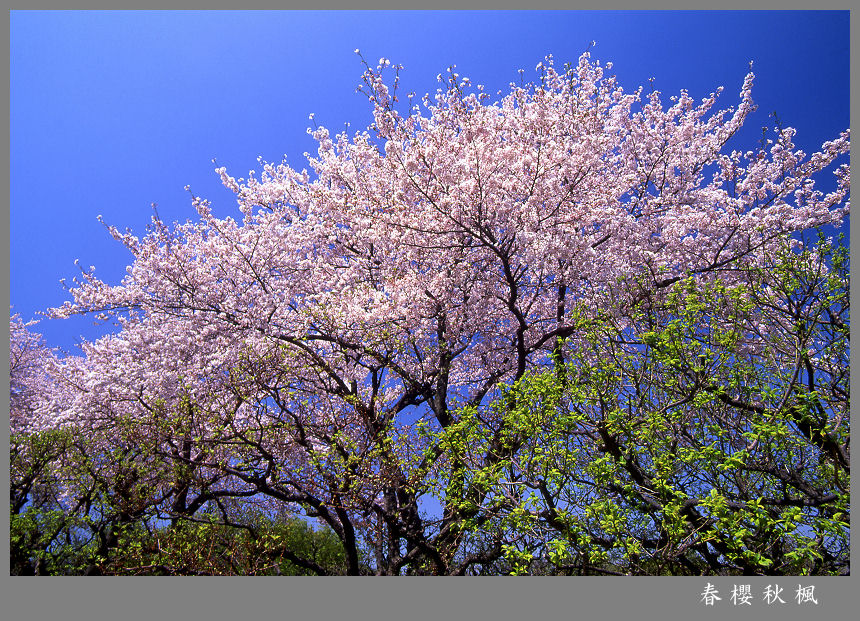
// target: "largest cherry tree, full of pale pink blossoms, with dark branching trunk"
[[317, 351]]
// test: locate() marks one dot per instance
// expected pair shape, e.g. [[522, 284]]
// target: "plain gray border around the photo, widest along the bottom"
[[403, 598]]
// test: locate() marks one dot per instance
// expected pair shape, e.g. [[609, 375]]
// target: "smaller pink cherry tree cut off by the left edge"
[[94, 477]]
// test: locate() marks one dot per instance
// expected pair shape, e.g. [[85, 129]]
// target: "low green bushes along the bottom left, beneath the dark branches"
[[259, 545]]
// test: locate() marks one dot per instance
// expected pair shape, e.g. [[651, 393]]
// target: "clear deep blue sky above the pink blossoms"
[[113, 111]]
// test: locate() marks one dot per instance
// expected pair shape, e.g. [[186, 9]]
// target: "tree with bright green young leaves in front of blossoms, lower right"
[[705, 434]]
